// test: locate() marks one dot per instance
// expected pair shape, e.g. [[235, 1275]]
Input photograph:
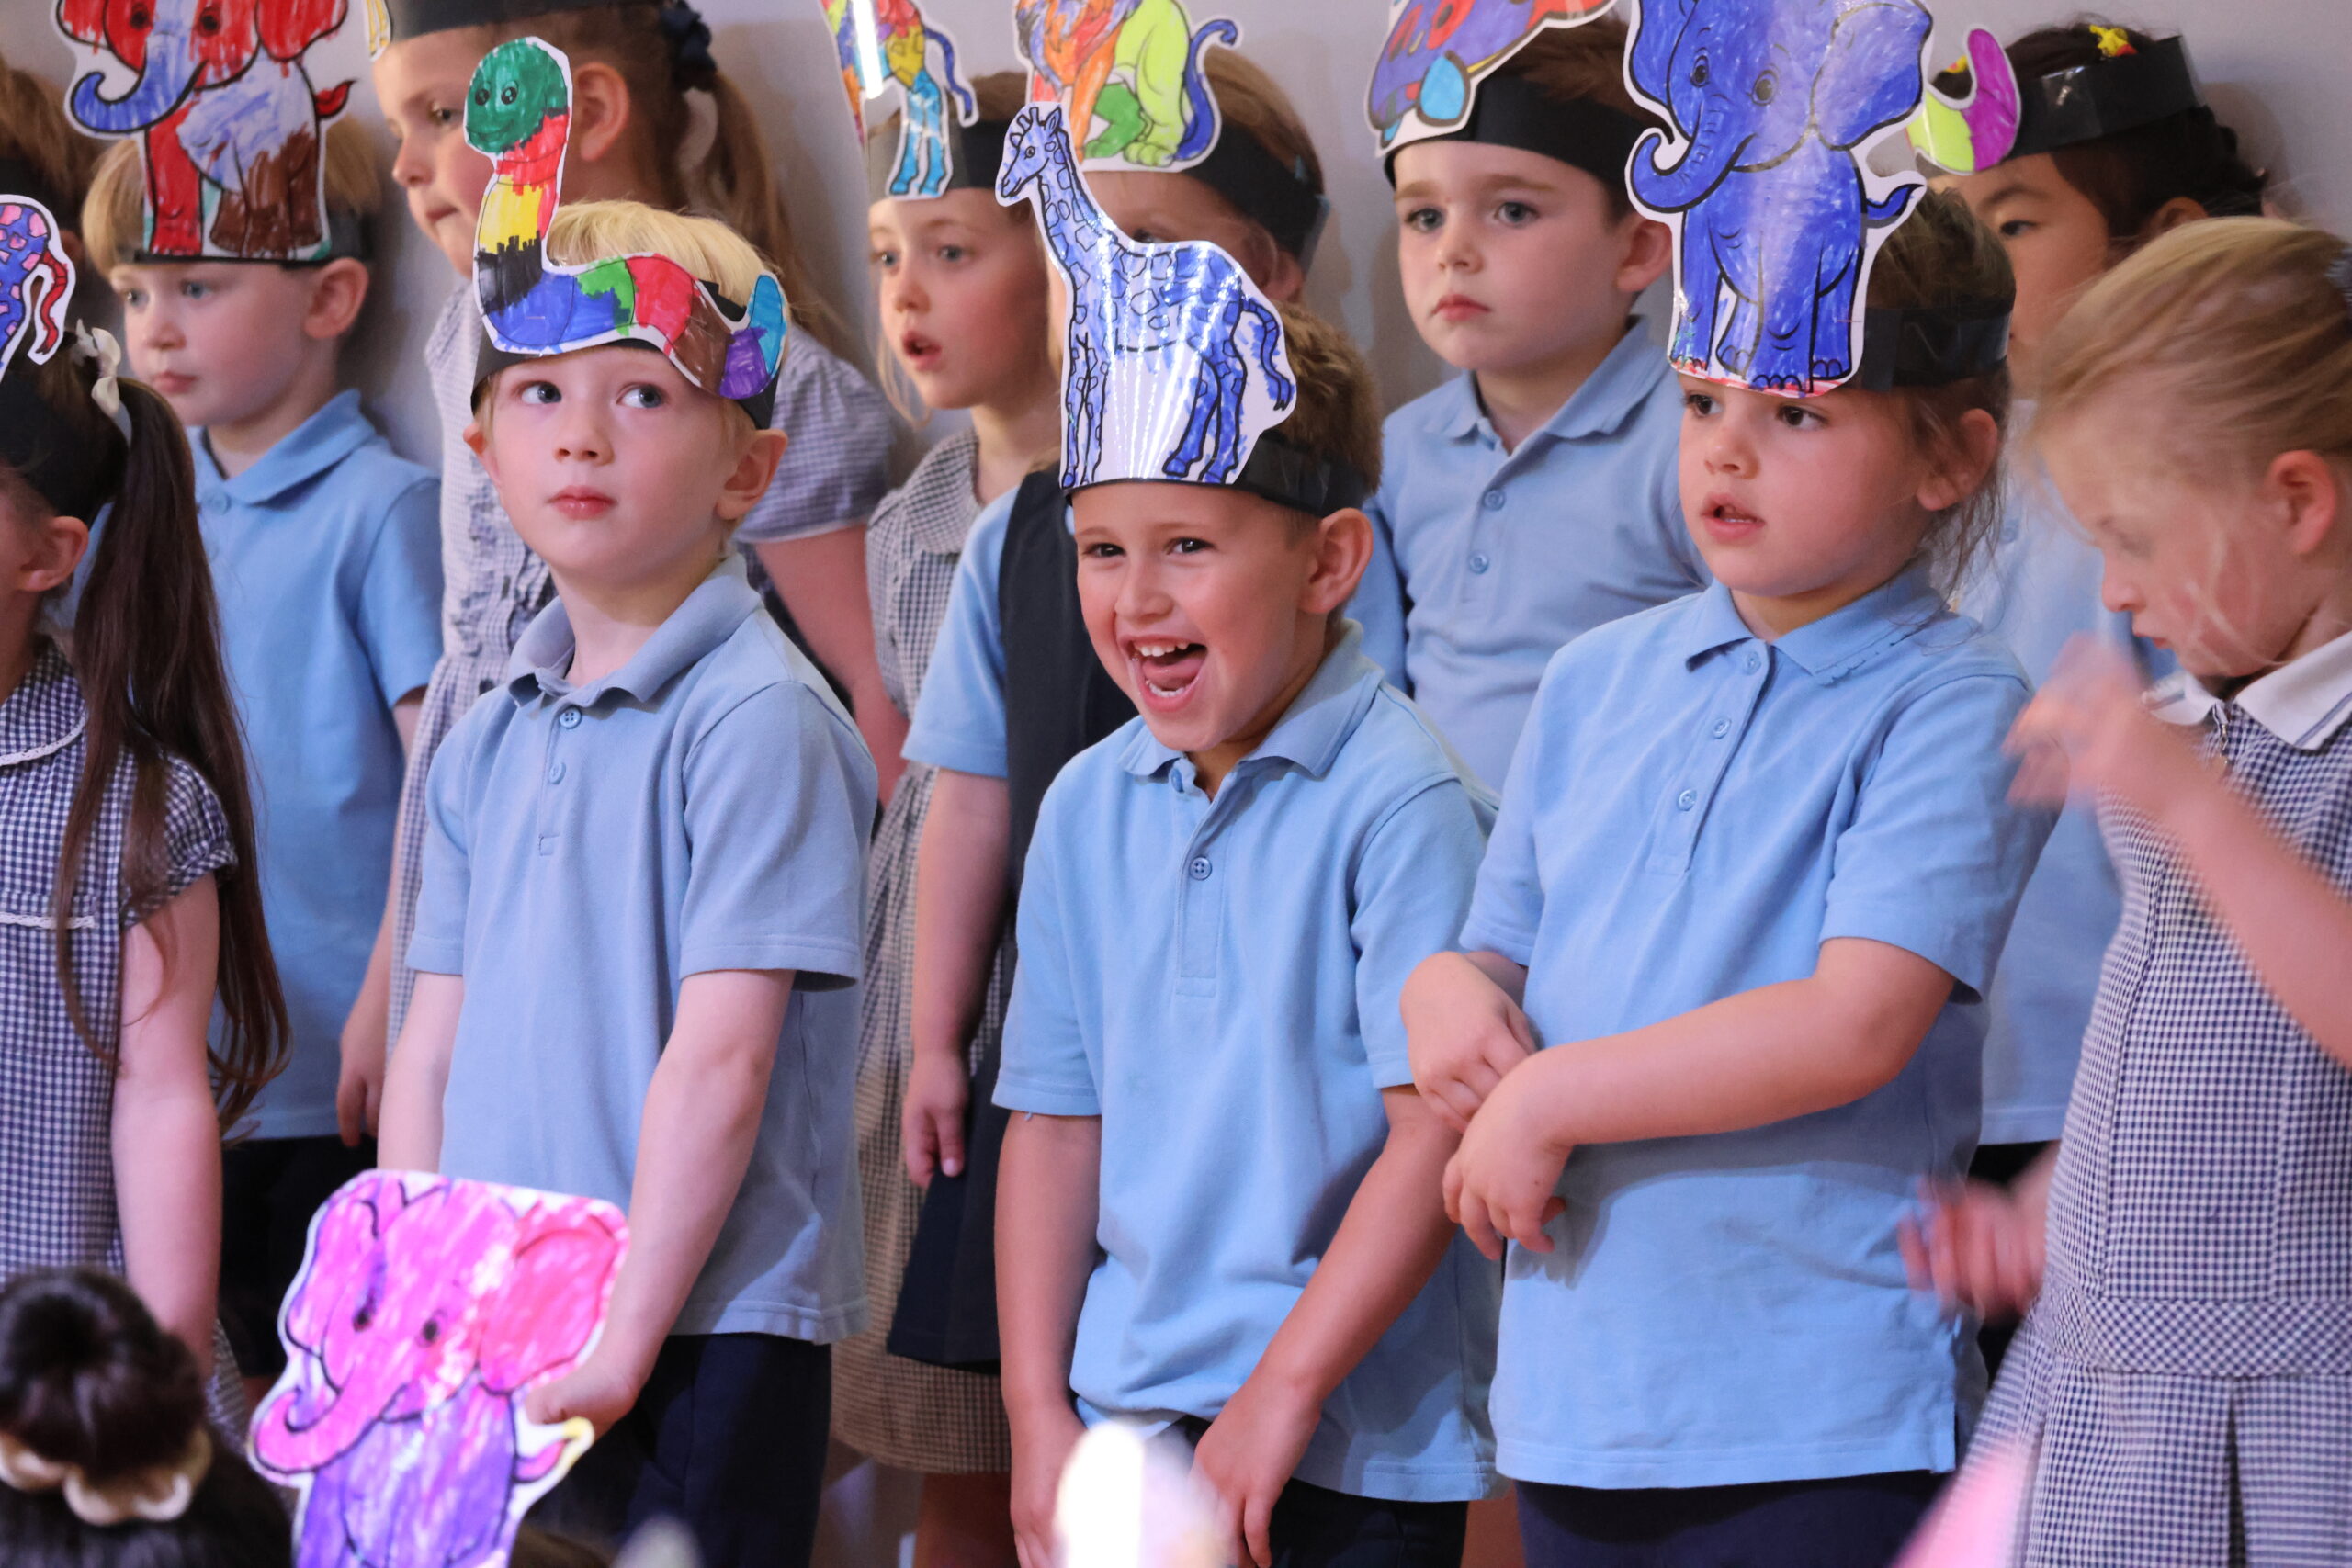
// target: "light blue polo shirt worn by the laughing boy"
[[1217, 981]]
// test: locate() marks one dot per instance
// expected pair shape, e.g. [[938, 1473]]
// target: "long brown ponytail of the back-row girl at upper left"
[[735, 177]]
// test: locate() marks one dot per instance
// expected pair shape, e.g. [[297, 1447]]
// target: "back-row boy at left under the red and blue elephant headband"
[[326, 558]]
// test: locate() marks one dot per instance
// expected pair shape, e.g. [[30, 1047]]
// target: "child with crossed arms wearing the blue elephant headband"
[[1716, 1010]]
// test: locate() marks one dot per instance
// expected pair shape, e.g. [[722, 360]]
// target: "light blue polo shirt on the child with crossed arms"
[[1695, 815]]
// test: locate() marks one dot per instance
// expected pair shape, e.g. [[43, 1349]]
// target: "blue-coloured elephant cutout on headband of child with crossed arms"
[[1768, 180]]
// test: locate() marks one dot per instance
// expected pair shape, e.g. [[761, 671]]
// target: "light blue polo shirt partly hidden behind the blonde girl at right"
[[2038, 596]]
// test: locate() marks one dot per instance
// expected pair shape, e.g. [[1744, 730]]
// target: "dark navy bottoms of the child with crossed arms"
[[1852, 1522]]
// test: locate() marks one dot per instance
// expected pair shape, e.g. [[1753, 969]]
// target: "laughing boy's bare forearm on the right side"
[[1391, 1240]]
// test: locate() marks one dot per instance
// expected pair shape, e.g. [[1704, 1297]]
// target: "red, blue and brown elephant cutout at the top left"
[[232, 133]]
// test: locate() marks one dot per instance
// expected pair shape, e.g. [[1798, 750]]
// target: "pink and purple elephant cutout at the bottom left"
[[422, 1315]]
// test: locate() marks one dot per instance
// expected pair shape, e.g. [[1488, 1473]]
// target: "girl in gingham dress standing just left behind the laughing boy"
[[963, 288]]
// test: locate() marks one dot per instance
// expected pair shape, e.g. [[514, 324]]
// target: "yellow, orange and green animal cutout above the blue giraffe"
[[1132, 65]]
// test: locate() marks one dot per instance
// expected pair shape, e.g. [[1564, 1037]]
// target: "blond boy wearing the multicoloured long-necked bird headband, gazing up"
[[639, 932]]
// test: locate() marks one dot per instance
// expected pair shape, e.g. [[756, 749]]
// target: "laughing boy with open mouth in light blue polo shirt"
[[1220, 1191]]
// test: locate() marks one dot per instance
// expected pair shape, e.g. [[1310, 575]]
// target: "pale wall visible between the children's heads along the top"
[[2273, 67]]
